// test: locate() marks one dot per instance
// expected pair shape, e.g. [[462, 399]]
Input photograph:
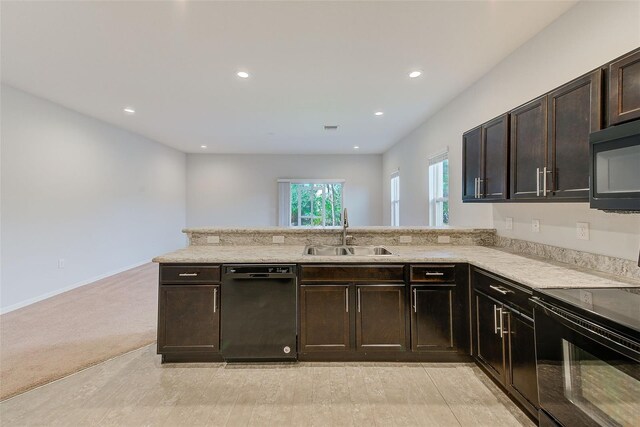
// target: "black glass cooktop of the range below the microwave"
[[616, 305]]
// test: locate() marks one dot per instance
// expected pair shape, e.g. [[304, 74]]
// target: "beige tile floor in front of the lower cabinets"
[[135, 389]]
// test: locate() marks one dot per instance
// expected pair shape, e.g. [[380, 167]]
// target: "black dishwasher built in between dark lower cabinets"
[[258, 313]]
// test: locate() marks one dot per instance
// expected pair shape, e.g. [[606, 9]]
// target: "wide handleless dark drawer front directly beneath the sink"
[[352, 273]]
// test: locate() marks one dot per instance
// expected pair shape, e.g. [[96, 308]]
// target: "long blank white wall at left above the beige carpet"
[[76, 188]]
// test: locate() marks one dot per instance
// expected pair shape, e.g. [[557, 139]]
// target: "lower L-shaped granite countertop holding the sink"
[[529, 271]]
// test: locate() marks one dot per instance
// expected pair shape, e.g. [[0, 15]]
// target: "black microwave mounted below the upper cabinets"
[[614, 170]]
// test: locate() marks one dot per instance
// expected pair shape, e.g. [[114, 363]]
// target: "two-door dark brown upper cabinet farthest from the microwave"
[[485, 161]]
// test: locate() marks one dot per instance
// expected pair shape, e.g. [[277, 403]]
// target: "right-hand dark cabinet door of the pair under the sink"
[[380, 318]]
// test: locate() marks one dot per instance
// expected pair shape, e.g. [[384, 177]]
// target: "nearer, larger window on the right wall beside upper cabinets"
[[439, 190]]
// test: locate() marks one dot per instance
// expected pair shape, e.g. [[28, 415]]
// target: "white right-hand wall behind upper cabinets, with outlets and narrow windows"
[[587, 36]]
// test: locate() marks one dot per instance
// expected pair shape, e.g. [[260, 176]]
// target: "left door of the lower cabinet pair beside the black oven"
[[489, 348]]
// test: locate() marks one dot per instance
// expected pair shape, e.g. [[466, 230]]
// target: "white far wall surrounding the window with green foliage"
[[242, 190]]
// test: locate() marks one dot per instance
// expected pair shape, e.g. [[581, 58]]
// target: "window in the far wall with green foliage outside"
[[311, 203]]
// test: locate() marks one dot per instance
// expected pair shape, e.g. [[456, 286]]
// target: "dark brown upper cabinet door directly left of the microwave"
[[574, 112]]
